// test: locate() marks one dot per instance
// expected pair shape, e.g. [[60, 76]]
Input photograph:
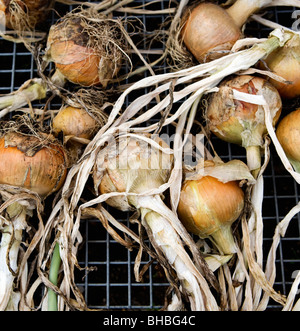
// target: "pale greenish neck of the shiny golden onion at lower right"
[[223, 240]]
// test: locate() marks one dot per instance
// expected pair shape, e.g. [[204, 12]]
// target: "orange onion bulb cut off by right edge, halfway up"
[[288, 134]]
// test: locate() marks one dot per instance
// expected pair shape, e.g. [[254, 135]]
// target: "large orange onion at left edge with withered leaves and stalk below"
[[33, 166]]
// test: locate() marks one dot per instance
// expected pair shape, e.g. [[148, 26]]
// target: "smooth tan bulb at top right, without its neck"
[[209, 32]]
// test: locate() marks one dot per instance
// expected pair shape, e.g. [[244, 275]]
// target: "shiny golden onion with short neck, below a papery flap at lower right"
[[208, 207]]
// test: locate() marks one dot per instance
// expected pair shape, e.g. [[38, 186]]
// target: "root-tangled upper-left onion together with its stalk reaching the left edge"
[[87, 49]]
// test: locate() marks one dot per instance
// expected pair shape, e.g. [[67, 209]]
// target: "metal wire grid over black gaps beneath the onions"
[[112, 285]]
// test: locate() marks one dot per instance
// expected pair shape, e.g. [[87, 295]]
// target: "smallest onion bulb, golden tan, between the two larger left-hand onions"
[[75, 122]]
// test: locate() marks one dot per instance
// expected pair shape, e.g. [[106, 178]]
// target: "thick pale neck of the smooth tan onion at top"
[[241, 10]]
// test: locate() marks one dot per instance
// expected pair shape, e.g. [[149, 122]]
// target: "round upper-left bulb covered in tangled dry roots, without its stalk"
[[86, 48]]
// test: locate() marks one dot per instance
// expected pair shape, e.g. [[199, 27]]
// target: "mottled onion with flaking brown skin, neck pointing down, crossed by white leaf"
[[234, 119]]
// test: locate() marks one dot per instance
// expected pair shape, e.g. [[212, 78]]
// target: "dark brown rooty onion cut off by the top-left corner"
[[37, 11]]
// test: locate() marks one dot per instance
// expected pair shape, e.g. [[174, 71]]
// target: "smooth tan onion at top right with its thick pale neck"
[[209, 31]]
